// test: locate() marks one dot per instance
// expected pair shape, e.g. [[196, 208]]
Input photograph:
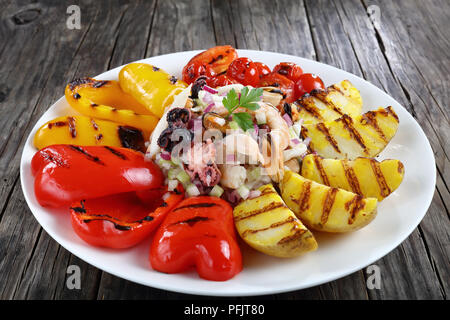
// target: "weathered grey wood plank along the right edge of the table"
[[419, 60]]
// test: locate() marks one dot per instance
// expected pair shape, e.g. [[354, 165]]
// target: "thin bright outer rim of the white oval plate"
[[260, 290]]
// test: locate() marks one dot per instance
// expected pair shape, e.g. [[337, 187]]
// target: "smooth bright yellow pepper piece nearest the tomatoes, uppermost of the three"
[[151, 86]]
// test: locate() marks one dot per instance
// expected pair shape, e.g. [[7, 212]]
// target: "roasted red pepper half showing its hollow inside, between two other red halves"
[[122, 220]]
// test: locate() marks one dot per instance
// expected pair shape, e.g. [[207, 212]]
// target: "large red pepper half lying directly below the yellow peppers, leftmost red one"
[[67, 173]]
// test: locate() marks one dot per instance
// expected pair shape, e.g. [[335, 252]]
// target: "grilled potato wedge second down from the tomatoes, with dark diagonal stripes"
[[363, 136]]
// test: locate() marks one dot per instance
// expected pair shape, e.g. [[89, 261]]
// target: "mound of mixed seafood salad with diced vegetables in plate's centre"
[[198, 143]]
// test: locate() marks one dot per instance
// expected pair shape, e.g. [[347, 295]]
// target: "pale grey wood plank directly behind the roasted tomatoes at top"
[[247, 25]]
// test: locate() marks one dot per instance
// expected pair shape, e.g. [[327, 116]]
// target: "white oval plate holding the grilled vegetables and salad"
[[337, 255]]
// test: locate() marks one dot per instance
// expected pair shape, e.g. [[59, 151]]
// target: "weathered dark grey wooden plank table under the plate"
[[400, 46]]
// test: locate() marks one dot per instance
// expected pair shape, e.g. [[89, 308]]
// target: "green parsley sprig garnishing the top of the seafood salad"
[[248, 100]]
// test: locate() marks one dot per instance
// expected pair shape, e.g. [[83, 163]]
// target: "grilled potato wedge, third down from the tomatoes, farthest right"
[[364, 176]]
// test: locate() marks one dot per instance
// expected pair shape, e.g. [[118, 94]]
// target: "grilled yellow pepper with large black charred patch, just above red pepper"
[[86, 131]]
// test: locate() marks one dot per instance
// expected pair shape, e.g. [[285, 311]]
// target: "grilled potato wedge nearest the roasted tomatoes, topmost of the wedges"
[[330, 104]]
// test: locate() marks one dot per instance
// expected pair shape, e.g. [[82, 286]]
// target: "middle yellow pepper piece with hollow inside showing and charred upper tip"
[[121, 108]]
